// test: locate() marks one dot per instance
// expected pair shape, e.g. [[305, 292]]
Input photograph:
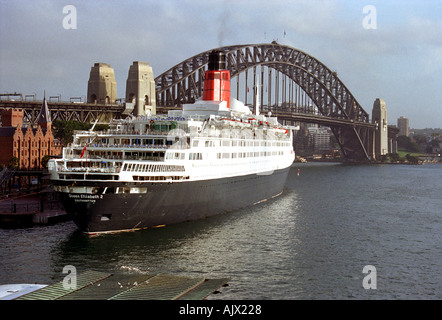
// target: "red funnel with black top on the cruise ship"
[[217, 79]]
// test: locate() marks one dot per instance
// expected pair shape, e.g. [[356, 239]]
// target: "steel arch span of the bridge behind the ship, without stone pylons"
[[335, 105]]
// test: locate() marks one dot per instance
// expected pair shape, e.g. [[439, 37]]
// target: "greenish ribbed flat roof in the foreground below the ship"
[[94, 285]]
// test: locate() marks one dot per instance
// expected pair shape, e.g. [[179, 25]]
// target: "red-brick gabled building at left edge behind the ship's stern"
[[29, 144]]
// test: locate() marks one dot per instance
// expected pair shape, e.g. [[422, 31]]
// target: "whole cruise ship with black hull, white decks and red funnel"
[[210, 157]]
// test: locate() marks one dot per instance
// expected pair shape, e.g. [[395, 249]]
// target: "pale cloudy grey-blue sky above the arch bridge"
[[386, 49]]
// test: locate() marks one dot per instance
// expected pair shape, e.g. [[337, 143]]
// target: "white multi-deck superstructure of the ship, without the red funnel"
[[202, 141]]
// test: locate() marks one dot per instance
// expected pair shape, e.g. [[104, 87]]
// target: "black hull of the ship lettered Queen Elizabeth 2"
[[168, 203]]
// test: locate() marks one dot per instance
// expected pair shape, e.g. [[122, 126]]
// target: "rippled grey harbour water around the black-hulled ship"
[[310, 243]]
